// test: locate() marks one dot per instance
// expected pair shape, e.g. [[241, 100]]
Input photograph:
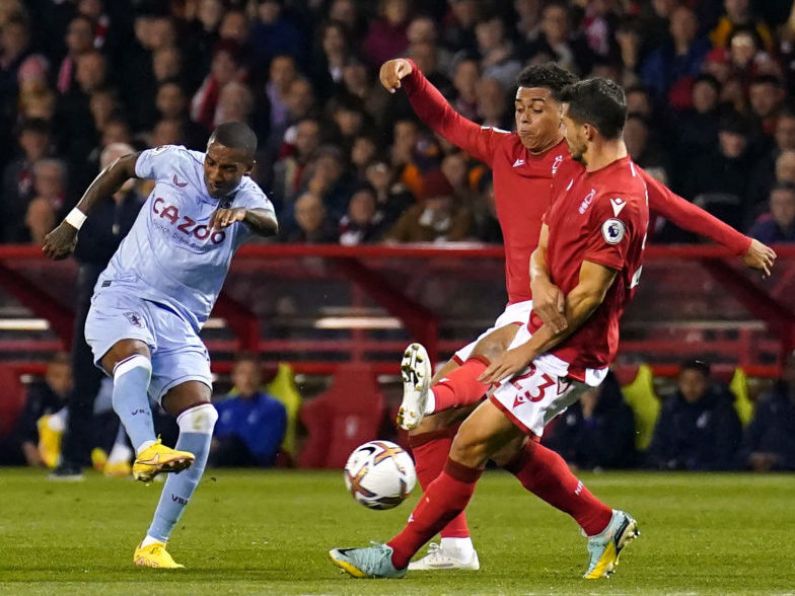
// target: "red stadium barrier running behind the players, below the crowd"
[[319, 306]]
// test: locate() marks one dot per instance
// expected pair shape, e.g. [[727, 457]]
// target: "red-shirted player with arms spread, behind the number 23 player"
[[524, 165]]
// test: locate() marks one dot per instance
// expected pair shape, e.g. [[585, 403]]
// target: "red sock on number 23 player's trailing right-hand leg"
[[545, 474]]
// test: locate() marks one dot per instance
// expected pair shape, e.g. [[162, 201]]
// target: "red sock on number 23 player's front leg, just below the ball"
[[446, 497]]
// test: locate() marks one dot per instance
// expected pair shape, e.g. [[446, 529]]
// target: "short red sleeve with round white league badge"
[[610, 235]]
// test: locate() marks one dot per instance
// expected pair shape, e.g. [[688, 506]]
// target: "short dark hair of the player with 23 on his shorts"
[[599, 102]]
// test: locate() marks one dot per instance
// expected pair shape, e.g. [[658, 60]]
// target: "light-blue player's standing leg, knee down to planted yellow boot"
[[196, 417]]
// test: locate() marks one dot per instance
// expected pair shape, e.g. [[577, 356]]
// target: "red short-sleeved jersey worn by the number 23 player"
[[601, 217]]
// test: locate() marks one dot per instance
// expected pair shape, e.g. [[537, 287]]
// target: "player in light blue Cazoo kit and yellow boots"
[[158, 290]]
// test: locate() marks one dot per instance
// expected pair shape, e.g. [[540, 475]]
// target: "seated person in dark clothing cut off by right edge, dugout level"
[[770, 438]]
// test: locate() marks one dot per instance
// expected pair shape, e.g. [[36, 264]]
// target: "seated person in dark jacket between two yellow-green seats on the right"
[[698, 428]]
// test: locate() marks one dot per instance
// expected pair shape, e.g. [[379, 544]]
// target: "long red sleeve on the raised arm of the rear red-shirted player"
[[433, 109]]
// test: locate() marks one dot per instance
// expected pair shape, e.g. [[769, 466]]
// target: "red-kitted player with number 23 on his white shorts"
[[590, 247]]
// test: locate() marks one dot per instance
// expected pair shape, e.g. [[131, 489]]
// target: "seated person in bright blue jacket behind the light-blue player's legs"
[[251, 424]]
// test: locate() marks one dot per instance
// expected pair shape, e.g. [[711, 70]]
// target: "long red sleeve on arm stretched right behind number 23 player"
[[686, 215]]
